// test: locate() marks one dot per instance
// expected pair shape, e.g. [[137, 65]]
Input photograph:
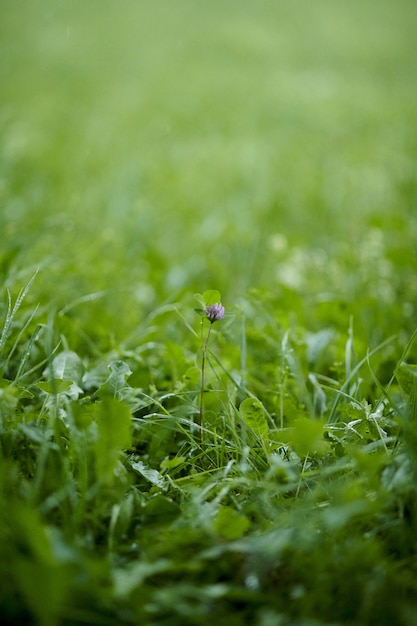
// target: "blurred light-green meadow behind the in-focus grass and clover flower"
[[156, 148]]
